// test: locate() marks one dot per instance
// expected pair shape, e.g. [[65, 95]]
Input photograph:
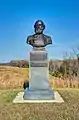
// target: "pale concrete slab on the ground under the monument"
[[19, 99]]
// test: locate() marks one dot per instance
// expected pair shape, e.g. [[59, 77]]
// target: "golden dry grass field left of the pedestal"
[[13, 77]]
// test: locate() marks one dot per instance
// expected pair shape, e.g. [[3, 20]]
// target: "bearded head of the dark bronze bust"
[[39, 26]]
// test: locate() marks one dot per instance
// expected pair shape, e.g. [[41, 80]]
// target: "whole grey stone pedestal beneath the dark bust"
[[39, 87]]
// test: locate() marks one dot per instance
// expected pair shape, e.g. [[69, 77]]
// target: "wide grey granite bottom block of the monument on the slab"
[[39, 94]]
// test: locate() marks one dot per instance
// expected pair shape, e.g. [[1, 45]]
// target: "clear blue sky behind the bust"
[[17, 18]]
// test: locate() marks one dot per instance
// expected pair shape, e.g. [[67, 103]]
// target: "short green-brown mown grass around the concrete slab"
[[69, 110]]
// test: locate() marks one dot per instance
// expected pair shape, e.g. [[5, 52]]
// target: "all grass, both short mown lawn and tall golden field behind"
[[14, 77]]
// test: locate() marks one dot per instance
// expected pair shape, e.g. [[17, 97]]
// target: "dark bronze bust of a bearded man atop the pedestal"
[[39, 40]]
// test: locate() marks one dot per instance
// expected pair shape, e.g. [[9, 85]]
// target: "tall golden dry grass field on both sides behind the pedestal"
[[14, 77]]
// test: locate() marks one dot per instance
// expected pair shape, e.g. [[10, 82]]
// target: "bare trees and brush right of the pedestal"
[[68, 67]]
